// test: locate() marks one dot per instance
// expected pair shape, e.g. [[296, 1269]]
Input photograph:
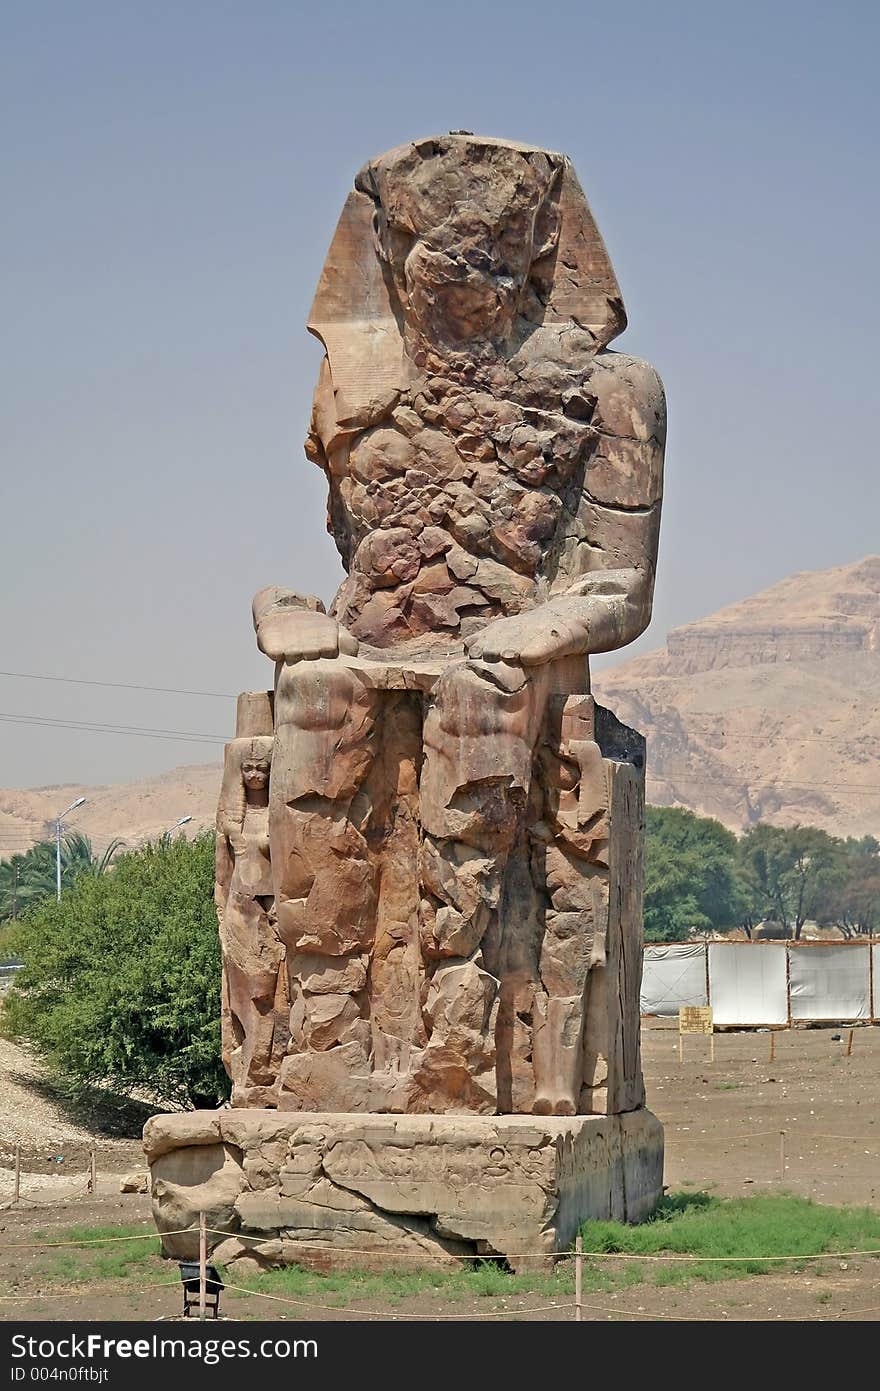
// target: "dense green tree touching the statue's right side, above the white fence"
[[692, 876]]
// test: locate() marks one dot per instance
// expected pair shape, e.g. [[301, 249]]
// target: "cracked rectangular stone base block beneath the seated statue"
[[337, 1191]]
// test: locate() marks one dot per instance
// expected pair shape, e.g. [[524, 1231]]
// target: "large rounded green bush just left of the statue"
[[122, 979]]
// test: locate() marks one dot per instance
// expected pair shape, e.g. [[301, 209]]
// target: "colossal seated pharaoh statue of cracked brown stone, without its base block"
[[448, 853]]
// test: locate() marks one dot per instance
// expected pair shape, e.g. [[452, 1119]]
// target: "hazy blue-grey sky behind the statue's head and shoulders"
[[172, 177]]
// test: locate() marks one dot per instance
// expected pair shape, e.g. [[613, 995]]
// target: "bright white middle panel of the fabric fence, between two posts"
[[747, 983]]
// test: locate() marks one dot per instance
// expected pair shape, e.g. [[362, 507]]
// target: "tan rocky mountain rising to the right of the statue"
[[768, 710]]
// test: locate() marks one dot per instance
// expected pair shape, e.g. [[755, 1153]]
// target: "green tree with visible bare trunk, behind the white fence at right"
[[790, 873]]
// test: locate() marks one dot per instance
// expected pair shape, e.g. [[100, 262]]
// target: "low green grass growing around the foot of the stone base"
[[683, 1225]]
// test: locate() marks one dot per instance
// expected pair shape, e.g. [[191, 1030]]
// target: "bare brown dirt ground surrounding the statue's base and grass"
[[724, 1122]]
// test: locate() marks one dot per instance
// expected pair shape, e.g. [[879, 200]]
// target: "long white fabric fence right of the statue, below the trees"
[[756, 984]]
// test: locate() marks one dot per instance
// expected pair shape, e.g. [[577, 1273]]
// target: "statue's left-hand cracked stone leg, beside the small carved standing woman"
[[323, 873]]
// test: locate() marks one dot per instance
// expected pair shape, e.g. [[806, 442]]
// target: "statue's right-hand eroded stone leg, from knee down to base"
[[479, 741]]
